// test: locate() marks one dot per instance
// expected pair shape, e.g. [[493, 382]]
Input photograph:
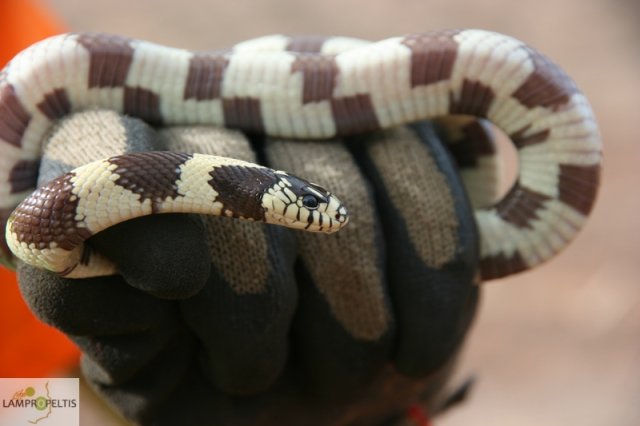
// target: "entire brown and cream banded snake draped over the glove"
[[280, 86]]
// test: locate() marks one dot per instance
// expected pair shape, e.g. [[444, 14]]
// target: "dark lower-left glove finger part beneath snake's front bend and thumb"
[[118, 327]]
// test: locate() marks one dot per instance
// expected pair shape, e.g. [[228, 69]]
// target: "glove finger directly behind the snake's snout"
[[343, 326]]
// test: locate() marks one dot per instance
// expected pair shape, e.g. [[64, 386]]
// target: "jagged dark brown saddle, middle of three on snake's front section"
[[150, 174]]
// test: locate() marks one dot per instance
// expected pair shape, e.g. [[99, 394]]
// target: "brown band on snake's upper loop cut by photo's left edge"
[[14, 118]]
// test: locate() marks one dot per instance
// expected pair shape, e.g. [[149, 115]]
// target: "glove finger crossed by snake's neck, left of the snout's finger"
[[243, 314]]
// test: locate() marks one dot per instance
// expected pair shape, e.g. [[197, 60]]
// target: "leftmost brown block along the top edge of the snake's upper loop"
[[110, 59]]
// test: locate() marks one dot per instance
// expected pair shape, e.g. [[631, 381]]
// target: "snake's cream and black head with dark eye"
[[297, 203]]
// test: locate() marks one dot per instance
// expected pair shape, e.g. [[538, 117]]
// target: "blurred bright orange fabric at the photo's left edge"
[[28, 348]]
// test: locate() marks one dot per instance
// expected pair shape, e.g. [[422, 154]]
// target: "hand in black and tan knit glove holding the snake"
[[221, 322]]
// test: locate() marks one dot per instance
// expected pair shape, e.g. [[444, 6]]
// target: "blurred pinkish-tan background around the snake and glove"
[[559, 345]]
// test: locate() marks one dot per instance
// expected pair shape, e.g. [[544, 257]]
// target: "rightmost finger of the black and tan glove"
[[431, 242]]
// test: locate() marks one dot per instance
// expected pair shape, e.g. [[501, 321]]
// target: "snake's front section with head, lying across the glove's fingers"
[[49, 227]]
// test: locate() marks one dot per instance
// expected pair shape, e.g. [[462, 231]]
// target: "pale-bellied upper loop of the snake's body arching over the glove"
[[321, 90]]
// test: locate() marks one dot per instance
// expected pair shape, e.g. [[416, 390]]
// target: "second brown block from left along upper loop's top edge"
[[206, 71]]
